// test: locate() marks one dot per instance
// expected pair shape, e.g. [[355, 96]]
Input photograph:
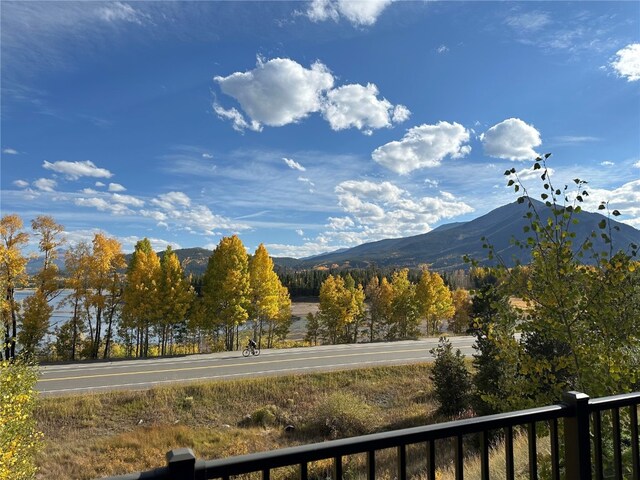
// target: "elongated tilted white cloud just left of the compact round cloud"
[[424, 146]]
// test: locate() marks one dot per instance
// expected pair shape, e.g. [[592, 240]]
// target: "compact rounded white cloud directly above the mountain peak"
[[511, 139]]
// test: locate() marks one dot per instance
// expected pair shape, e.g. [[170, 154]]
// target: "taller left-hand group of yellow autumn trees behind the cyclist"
[[146, 306]]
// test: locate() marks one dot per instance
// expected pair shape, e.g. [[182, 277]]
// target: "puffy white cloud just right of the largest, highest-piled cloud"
[[358, 106]]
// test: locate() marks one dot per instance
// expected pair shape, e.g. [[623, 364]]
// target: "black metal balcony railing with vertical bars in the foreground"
[[581, 428]]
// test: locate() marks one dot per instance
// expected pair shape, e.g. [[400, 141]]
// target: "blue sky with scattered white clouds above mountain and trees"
[[309, 126]]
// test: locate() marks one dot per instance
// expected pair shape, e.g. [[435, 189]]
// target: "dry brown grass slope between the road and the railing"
[[96, 435]]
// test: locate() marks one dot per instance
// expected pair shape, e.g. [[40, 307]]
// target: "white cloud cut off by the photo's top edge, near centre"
[[359, 13]]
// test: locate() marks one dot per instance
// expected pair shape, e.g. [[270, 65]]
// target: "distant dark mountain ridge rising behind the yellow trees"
[[443, 248]]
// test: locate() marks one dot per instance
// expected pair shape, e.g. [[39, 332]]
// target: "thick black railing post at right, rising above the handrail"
[[577, 444]]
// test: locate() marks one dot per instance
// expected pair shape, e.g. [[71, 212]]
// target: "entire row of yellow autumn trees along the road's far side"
[[148, 305]]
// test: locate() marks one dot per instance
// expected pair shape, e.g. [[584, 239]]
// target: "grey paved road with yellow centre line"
[[142, 374]]
